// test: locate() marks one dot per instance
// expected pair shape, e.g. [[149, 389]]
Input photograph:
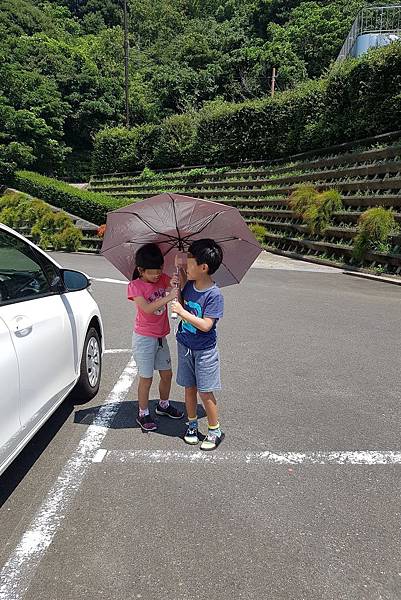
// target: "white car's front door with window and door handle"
[[41, 327]]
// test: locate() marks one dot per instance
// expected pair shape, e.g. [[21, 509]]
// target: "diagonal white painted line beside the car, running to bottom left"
[[18, 571]]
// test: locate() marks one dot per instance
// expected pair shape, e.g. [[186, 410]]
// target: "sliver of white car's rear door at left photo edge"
[[10, 425]]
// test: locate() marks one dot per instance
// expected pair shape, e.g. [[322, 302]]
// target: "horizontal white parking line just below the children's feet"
[[357, 457]]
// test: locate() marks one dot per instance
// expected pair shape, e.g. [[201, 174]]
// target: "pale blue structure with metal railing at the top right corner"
[[380, 25]]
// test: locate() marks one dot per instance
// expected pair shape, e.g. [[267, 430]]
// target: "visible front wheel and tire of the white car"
[[91, 367]]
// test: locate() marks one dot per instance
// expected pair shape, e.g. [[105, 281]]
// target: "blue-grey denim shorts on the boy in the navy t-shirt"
[[199, 368]]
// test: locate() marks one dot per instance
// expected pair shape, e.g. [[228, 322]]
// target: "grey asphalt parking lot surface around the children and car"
[[310, 366]]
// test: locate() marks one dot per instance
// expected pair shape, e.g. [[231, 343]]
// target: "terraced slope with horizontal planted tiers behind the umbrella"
[[365, 177]]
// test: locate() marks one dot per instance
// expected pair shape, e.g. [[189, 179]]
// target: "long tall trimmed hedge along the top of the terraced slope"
[[358, 98]]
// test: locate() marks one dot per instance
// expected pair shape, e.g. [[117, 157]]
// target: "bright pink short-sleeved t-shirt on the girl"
[[155, 324]]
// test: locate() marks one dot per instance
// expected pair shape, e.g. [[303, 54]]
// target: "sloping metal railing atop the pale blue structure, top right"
[[372, 19]]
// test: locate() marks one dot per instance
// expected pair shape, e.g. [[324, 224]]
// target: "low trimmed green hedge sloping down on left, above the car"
[[91, 206]]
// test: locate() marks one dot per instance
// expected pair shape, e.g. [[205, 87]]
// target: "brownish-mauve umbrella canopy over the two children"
[[173, 222]]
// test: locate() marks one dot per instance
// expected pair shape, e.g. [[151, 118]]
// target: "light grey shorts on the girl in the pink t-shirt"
[[150, 354]]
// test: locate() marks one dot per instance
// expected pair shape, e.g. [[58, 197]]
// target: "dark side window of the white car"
[[22, 276]]
